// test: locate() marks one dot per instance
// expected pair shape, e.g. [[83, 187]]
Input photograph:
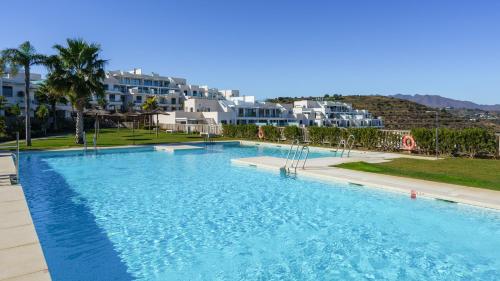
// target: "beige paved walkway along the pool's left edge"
[[21, 256]]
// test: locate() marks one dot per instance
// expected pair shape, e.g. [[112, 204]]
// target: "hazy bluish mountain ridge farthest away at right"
[[442, 102]]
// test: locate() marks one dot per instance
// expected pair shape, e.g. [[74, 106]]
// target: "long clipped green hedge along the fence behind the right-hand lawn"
[[472, 142]]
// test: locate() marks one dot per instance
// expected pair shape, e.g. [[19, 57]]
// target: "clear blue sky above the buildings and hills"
[[284, 48]]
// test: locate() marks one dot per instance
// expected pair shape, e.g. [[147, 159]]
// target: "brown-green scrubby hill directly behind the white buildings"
[[398, 113]]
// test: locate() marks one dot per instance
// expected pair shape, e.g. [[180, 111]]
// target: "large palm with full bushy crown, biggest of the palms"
[[78, 71]]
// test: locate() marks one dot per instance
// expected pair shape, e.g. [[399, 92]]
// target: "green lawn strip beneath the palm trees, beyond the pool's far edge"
[[110, 137]]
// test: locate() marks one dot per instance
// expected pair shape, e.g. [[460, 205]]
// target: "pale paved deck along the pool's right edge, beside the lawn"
[[319, 168]]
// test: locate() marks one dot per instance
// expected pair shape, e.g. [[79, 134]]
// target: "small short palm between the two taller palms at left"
[[47, 93]]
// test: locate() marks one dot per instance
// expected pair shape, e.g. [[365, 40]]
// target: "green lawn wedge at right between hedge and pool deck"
[[481, 173]]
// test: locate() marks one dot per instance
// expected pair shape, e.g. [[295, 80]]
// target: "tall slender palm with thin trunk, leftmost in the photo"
[[24, 56]]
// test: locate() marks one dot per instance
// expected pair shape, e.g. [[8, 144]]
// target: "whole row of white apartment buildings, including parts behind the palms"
[[193, 104]]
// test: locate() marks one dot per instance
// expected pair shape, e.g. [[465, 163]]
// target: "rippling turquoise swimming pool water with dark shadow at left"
[[140, 214]]
